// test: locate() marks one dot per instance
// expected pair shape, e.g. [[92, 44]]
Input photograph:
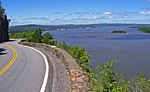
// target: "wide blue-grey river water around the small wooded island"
[[131, 50]]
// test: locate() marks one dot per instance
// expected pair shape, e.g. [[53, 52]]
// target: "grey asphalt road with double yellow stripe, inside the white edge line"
[[21, 69]]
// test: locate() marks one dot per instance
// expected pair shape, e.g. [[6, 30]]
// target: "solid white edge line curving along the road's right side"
[[47, 69]]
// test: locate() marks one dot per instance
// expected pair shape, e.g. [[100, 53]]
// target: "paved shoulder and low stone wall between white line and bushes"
[[67, 76]]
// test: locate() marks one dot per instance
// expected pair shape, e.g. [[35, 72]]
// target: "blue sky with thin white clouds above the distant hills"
[[55, 12]]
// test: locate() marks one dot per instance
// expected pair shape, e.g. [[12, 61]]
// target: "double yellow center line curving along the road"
[[5, 68]]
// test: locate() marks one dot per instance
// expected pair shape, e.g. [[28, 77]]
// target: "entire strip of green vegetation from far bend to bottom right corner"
[[102, 78]]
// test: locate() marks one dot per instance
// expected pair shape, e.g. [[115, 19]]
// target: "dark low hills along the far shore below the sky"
[[23, 28]]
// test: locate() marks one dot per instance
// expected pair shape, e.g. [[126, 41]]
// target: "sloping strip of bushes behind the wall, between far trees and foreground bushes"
[[80, 54]]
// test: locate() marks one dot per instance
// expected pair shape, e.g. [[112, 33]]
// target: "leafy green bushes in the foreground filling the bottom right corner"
[[104, 79]]
